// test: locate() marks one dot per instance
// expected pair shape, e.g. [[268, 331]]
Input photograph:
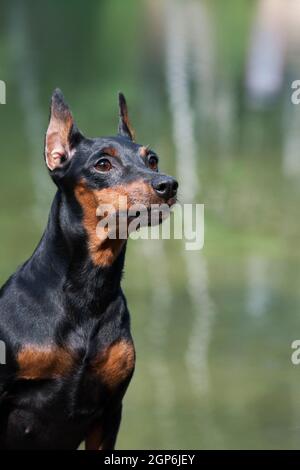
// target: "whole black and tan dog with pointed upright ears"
[[63, 315]]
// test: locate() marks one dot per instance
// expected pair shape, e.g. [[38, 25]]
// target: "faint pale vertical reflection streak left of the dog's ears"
[[33, 118]]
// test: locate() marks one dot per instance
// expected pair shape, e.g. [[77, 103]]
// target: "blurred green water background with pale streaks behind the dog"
[[209, 87]]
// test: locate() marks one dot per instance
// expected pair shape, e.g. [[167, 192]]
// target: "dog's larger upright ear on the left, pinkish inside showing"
[[62, 135]]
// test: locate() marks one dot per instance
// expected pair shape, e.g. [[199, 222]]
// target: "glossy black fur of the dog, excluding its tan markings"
[[60, 297]]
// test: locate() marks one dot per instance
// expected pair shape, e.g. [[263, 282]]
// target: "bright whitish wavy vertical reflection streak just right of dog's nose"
[[186, 162]]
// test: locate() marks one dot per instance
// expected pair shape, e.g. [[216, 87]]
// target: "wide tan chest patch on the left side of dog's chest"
[[43, 362]]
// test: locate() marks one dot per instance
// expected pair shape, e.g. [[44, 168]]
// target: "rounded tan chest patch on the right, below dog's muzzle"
[[115, 364]]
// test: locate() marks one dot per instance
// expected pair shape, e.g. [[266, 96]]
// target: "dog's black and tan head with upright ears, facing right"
[[108, 171]]
